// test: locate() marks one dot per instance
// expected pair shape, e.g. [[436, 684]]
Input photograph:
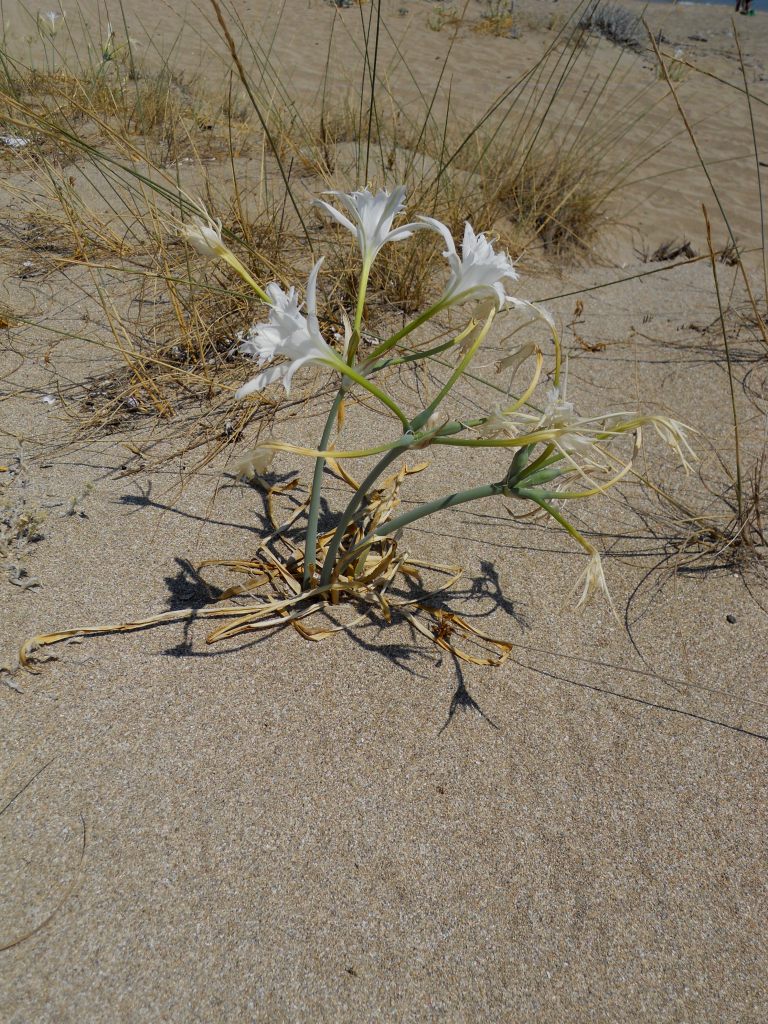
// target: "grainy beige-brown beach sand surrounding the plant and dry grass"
[[363, 830]]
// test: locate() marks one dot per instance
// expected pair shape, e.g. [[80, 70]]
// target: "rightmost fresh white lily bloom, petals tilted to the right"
[[480, 272]]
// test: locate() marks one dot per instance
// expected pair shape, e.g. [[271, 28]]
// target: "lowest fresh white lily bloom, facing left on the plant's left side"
[[290, 334]]
